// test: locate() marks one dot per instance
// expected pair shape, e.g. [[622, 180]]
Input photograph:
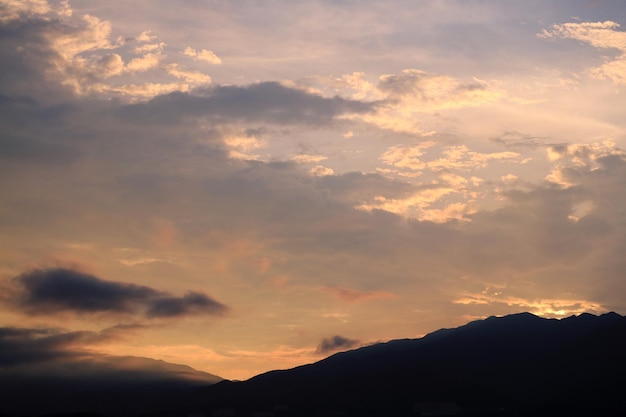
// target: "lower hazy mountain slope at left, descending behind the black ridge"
[[111, 385]]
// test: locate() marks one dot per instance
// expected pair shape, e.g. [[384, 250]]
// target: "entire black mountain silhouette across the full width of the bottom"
[[516, 365]]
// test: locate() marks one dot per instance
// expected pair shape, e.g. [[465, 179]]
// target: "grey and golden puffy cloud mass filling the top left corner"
[[83, 56]]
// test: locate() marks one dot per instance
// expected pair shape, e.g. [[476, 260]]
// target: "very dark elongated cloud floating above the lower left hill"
[[54, 290]]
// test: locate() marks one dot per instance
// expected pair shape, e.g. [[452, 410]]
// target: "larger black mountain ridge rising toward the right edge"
[[496, 363]]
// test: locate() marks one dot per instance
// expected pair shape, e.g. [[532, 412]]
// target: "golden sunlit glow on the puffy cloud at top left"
[[90, 60]]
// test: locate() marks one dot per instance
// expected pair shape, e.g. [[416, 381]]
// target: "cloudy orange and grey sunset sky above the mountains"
[[241, 186]]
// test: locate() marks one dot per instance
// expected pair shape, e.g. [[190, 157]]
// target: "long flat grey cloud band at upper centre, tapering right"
[[268, 102]]
